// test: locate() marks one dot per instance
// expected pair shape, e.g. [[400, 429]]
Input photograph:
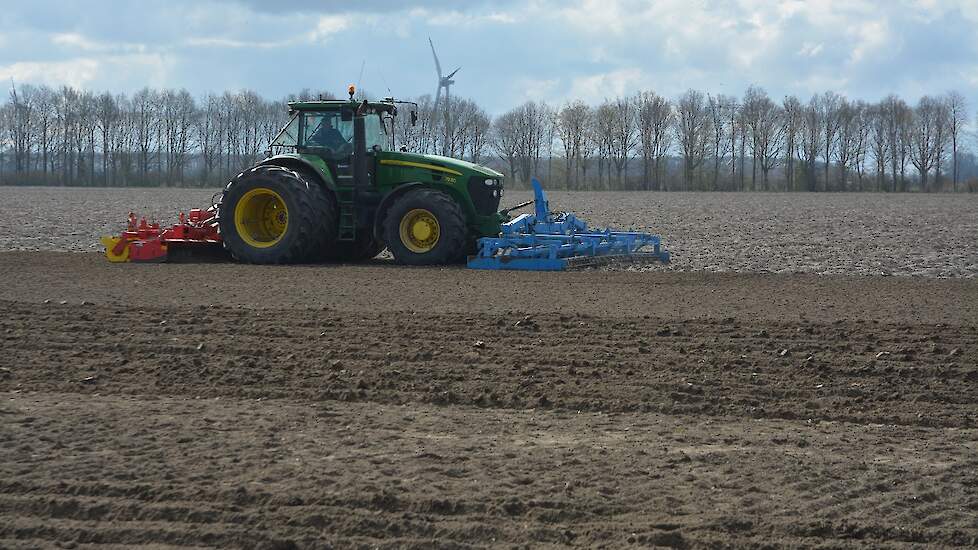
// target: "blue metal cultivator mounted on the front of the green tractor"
[[547, 241]]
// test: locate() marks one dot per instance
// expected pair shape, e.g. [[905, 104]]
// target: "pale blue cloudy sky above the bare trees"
[[509, 51]]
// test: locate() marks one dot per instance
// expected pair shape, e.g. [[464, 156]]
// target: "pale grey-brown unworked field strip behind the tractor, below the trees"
[[824, 233]]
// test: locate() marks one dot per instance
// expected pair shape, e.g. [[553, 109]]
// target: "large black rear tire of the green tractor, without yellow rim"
[[311, 215]]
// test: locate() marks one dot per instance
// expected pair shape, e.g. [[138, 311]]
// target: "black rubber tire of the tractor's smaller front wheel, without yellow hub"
[[451, 223]]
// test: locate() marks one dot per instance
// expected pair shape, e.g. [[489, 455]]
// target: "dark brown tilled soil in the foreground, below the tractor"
[[278, 407]]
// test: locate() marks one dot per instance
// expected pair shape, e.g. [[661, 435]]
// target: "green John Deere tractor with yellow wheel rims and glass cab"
[[334, 188]]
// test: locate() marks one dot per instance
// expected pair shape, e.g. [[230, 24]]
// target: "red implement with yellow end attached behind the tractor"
[[147, 242]]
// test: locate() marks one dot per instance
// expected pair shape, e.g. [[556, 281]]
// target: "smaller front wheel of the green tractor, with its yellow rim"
[[425, 227]]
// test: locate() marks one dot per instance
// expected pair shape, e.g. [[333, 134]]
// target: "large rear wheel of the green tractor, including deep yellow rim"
[[272, 215]]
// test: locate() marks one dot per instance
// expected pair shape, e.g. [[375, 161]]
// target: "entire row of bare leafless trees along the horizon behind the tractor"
[[645, 141]]
